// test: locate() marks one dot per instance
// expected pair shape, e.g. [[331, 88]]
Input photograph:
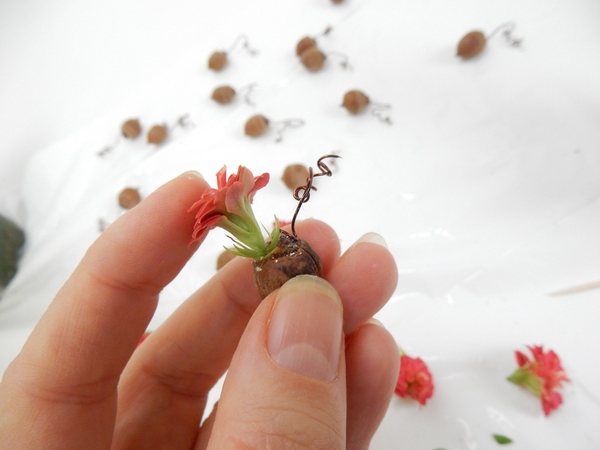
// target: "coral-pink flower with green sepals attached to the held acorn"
[[229, 207]]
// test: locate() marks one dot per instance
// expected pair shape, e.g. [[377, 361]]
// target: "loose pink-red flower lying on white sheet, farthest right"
[[541, 376]]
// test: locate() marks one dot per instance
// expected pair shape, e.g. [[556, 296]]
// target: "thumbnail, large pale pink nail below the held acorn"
[[305, 330]]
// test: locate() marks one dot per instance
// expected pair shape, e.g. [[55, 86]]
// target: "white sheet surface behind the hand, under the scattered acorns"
[[486, 186]]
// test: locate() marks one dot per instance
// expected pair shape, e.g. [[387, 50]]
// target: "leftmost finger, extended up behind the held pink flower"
[[63, 383]]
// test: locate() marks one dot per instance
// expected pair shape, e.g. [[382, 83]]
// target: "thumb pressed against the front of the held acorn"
[[286, 386]]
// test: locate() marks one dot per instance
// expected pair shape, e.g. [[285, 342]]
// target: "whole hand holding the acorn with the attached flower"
[[306, 368]]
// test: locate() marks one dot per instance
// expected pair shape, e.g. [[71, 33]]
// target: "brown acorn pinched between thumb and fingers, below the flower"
[[292, 257]]
